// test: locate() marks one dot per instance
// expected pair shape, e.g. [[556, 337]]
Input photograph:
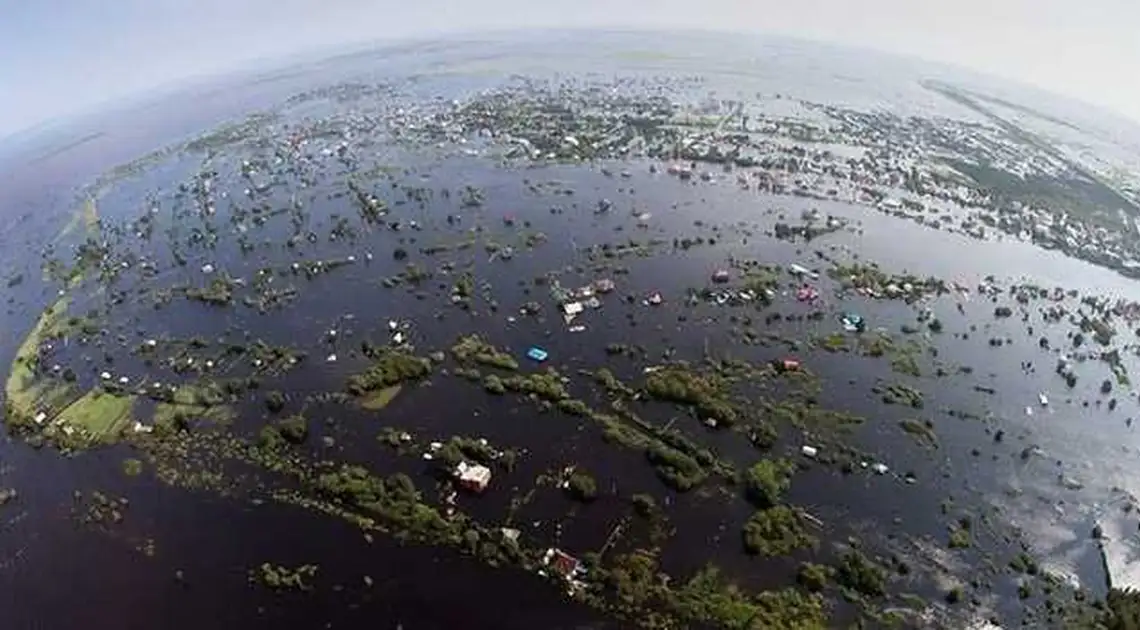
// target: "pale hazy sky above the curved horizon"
[[63, 58]]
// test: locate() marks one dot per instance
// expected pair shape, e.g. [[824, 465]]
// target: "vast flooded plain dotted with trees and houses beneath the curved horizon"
[[597, 342]]
